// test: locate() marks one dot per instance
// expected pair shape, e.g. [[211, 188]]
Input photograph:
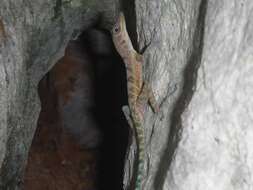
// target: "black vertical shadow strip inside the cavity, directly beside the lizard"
[[110, 96]]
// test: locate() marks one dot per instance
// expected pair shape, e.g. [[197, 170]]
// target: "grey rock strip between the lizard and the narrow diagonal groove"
[[169, 28]]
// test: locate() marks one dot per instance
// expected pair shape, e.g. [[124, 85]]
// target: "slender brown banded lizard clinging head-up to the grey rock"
[[138, 90]]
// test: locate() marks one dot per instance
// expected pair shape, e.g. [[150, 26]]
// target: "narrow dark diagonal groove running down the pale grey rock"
[[190, 77]]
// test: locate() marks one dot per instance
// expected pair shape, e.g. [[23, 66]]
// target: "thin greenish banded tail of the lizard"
[[140, 150]]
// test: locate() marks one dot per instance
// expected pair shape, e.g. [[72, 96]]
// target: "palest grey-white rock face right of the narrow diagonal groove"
[[215, 150]]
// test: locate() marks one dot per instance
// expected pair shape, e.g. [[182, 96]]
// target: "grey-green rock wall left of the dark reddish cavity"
[[33, 36]]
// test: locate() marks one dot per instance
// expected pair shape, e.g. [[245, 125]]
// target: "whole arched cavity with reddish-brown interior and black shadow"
[[82, 134]]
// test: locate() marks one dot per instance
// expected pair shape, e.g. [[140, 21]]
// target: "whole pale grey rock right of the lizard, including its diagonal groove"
[[200, 65]]
